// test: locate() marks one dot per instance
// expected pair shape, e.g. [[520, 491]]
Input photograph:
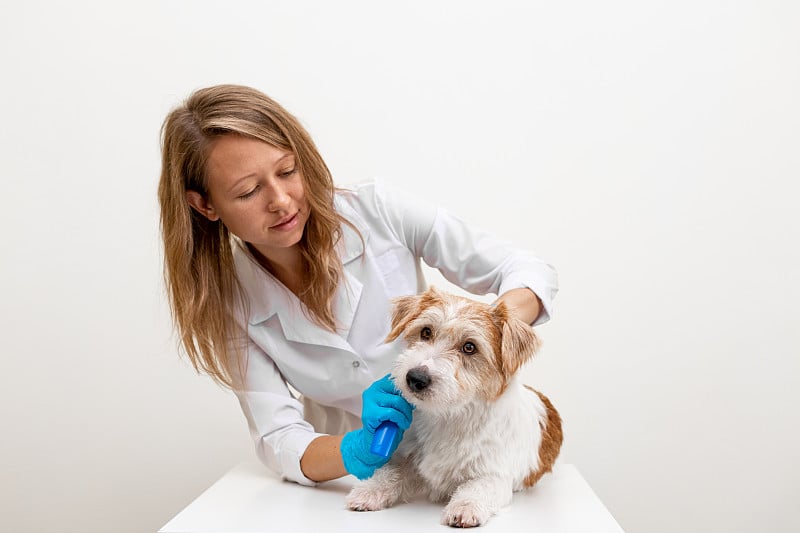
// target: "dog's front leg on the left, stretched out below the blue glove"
[[389, 484]]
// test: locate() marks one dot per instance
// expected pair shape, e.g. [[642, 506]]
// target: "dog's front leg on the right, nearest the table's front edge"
[[475, 501]]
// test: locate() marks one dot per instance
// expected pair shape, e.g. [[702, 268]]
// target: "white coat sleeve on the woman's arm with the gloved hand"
[[274, 417]]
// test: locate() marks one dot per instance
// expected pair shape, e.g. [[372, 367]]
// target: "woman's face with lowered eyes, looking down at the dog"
[[257, 191]]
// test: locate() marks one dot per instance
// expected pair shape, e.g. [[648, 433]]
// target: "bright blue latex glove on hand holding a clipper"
[[381, 402]]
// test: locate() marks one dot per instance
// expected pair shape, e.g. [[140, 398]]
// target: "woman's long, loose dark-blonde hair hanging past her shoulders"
[[203, 290]]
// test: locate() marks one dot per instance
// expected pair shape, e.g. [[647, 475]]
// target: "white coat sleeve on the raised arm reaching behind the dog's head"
[[468, 257]]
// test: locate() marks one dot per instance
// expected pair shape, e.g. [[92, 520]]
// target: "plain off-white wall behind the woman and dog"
[[649, 150]]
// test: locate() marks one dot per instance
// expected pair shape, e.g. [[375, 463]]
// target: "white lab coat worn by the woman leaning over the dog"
[[331, 370]]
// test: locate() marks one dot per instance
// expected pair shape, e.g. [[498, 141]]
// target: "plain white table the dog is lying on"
[[249, 499]]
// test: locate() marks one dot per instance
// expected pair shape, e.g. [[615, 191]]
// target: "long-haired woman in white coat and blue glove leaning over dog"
[[280, 284]]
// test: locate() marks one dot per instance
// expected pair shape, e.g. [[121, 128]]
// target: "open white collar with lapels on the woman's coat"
[[269, 297]]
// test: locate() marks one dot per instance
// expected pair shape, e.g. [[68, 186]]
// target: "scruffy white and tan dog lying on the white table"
[[478, 434]]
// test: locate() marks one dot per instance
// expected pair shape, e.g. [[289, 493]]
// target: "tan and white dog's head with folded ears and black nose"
[[459, 350]]
